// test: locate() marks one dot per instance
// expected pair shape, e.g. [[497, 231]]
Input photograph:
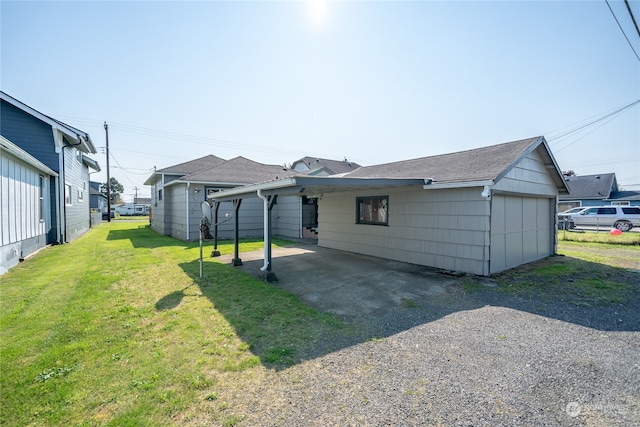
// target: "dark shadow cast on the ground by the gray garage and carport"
[[327, 300]]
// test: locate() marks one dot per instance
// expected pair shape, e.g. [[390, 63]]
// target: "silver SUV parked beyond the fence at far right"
[[624, 218]]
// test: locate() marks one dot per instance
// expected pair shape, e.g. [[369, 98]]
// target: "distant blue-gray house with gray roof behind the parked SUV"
[[596, 190]]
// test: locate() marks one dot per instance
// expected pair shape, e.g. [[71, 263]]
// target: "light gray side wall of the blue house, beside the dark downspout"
[[77, 214]]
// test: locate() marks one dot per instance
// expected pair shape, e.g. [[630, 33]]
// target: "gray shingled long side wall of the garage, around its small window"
[[446, 229]]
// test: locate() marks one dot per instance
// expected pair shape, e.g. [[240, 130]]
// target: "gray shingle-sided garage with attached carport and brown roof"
[[477, 211]]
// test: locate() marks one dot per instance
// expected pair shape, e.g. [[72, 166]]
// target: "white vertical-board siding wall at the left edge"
[[22, 231]]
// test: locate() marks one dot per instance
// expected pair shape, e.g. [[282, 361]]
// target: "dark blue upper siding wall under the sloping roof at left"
[[29, 133]]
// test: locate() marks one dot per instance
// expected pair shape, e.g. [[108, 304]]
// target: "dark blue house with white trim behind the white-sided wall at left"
[[62, 149]]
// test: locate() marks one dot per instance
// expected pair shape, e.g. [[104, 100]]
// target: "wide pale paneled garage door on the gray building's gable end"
[[522, 230]]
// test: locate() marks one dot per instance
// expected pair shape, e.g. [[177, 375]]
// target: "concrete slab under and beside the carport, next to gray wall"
[[348, 284]]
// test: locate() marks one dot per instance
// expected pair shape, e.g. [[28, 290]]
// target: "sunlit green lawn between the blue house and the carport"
[[116, 329]]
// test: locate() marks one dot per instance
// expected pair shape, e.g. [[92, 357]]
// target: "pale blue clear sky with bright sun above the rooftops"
[[370, 81]]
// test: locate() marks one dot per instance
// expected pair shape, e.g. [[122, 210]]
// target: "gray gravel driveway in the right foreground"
[[465, 358]]
